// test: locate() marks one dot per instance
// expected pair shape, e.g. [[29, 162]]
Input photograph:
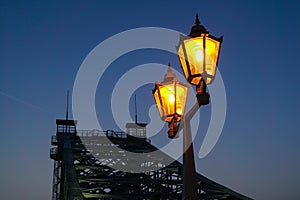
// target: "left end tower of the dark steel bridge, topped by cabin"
[[65, 183]]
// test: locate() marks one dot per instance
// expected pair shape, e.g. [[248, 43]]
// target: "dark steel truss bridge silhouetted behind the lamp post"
[[86, 167]]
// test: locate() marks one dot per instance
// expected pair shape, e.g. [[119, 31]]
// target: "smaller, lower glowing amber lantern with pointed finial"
[[170, 96]]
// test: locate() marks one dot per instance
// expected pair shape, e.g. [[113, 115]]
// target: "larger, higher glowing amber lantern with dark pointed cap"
[[199, 54]]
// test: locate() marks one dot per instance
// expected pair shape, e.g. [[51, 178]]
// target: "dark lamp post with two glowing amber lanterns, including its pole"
[[198, 54]]
